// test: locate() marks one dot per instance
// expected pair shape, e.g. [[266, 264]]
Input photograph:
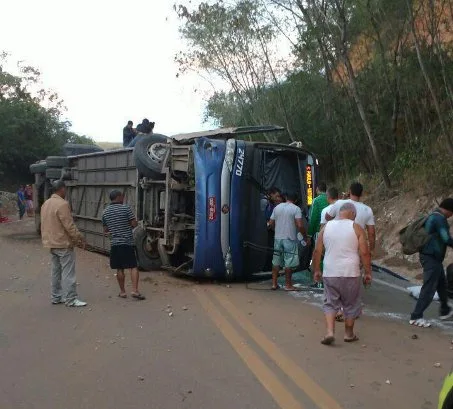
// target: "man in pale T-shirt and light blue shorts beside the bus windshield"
[[286, 220]]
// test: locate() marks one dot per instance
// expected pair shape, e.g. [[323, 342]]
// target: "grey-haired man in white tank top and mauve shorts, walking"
[[345, 247]]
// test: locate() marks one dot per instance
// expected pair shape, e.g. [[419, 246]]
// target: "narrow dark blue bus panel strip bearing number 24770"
[[238, 210]]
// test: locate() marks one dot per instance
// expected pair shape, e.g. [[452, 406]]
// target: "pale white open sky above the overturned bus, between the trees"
[[110, 61]]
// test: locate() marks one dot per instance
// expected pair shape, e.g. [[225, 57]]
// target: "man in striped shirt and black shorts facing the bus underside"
[[119, 221]]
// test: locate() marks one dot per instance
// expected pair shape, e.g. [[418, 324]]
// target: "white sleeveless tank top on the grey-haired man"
[[342, 249]]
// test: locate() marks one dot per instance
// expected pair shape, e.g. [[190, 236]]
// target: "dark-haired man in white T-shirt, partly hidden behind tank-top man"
[[364, 217]]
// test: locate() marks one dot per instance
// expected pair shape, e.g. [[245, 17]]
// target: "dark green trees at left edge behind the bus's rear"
[[30, 125]]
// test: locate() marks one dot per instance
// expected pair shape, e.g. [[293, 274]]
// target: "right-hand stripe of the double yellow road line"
[[317, 394]]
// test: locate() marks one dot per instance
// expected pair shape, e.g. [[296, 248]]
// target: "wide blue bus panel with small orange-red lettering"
[[208, 257]]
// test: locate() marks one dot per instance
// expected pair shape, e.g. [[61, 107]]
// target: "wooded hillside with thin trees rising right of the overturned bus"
[[366, 84]]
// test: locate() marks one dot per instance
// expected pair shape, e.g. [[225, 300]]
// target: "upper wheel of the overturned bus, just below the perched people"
[[149, 155]]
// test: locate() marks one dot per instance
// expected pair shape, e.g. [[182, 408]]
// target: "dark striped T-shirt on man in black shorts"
[[117, 218]]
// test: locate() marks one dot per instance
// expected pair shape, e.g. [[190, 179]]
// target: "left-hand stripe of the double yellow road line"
[[268, 379]]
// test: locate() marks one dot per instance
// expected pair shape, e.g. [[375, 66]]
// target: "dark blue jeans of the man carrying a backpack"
[[433, 280]]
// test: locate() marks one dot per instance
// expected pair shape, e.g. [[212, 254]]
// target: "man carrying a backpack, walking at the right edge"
[[432, 254]]
